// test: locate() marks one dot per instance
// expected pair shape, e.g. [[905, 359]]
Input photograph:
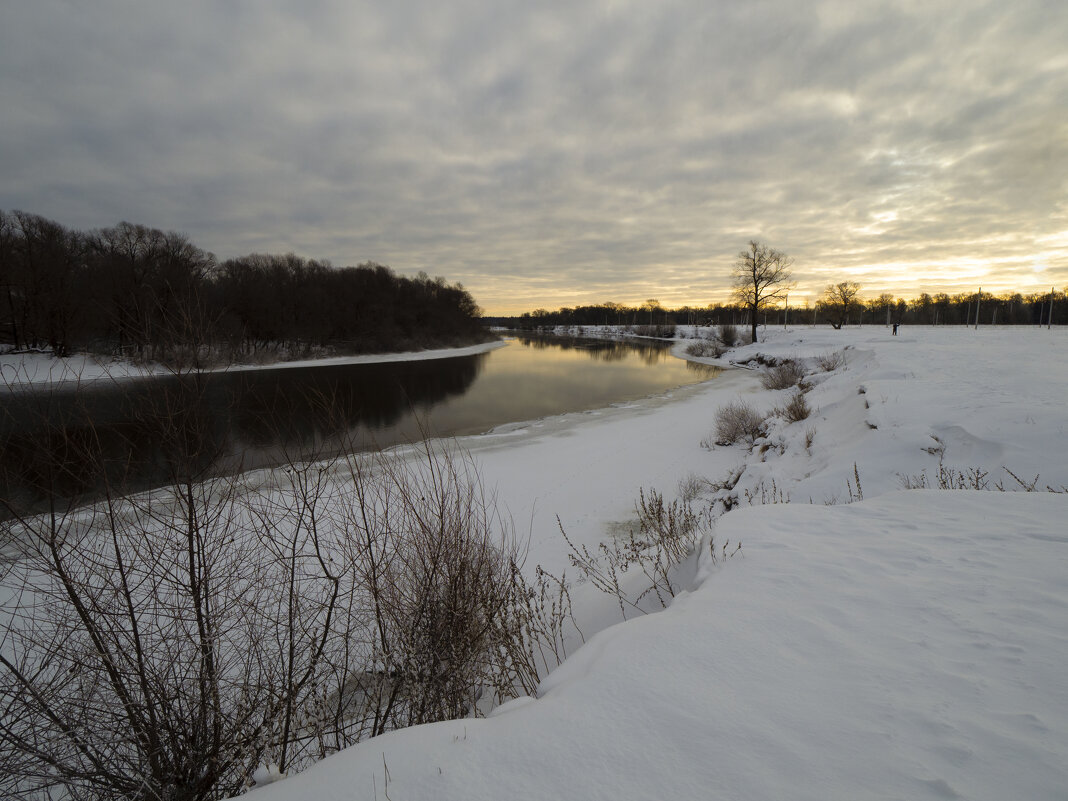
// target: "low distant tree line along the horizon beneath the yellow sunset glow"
[[1013, 309]]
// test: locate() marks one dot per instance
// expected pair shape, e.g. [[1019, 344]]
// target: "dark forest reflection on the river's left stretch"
[[133, 435]]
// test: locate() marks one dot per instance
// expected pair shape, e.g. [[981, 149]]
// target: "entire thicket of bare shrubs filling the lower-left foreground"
[[170, 643]]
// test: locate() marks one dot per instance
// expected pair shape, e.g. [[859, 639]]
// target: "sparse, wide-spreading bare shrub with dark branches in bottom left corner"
[[156, 650]]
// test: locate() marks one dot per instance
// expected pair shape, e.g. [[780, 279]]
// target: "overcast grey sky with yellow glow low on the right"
[[551, 154]]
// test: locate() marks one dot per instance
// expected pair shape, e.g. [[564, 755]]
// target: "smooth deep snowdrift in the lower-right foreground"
[[858, 652]]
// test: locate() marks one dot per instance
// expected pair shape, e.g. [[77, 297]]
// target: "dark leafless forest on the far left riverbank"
[[145, 294]]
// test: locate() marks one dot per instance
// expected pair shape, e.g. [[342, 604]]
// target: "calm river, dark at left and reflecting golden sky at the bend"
[[138, 434]]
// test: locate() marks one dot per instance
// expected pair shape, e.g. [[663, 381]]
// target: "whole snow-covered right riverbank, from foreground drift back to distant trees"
[[908, 646]]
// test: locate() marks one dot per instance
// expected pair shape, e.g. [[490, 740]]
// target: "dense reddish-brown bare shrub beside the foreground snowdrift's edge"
[[438, 562]]
